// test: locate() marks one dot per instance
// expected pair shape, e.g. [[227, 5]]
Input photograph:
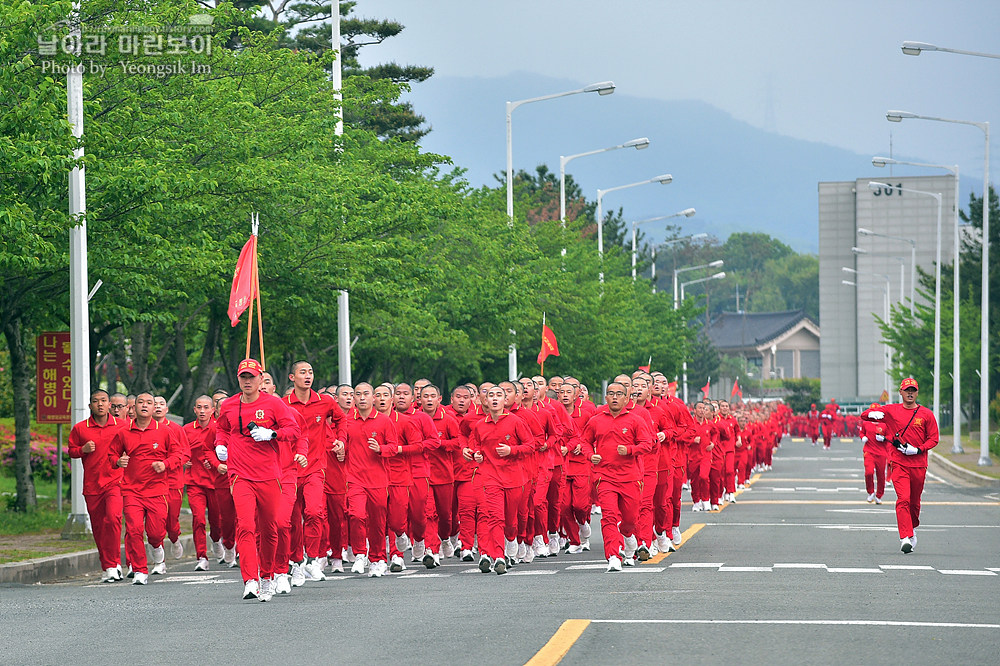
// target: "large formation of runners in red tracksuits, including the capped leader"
[[295, 486]]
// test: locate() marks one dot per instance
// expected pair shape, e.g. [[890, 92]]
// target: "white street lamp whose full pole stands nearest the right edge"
[[984, 369]]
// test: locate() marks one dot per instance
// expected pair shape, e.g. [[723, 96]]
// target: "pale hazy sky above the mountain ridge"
[[820, 70]]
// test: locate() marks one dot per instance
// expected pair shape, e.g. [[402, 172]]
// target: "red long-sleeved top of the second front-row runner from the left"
[[156, 443]]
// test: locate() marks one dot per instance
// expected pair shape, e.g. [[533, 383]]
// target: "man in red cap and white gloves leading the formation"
[[247, 433]]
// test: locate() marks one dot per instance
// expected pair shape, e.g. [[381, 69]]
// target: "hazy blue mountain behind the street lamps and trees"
[[738, 177]]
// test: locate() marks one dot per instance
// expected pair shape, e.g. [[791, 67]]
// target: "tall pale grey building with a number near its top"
[[851, 350]]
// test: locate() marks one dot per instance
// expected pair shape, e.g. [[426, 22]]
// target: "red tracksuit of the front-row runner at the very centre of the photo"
[[503, 477]]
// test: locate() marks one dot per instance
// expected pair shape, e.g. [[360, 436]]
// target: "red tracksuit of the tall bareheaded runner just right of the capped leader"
[[309, 511]]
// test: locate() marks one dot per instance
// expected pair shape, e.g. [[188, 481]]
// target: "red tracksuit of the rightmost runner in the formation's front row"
[[618, 478]]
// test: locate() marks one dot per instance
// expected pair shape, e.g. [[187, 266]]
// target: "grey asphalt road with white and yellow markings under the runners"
[[799, 570]]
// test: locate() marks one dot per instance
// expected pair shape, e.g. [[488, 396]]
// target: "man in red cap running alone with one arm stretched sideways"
[[912, 430]]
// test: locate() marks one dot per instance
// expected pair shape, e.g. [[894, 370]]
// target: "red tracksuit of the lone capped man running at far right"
[[908, 472]]
